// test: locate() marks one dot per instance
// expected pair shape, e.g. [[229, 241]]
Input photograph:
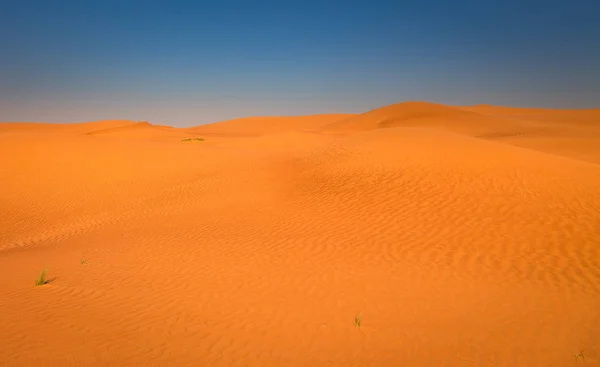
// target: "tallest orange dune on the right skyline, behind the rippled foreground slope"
[[574, 133]]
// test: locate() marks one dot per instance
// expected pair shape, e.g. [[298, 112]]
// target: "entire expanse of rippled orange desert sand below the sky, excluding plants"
[[463, 236]]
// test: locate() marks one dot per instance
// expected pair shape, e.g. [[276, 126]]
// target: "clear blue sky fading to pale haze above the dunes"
[[186, 63]]
